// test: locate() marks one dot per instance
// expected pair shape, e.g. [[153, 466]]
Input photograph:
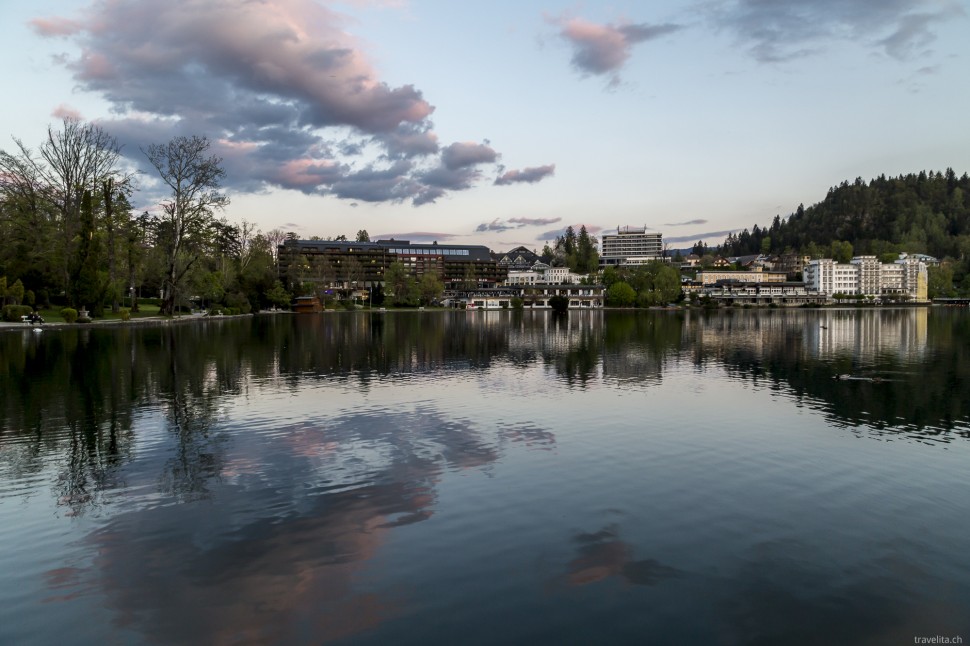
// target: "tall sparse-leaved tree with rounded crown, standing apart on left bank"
[[193, 179]]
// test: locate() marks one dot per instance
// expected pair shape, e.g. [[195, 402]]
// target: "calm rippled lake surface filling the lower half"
[[489, 477]]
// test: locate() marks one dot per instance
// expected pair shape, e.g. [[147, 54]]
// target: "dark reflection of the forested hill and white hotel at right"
[[897, 369]]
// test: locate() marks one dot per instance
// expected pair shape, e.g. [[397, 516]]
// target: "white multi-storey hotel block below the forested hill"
[[865, 276]]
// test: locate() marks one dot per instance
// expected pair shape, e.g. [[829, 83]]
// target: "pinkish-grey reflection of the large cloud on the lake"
[[231, 573]]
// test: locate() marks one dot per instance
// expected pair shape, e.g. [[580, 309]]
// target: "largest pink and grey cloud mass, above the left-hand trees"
[[285, 93]]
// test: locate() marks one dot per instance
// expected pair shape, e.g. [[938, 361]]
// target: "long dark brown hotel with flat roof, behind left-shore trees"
[[360, 265]]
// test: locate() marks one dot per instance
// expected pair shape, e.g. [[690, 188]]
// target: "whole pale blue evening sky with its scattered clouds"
[[501, 123]]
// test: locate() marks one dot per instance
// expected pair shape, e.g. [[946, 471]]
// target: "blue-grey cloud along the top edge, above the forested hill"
[[782, 31]]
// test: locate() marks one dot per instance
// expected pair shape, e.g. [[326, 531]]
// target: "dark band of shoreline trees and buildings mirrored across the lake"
[[74, 394]]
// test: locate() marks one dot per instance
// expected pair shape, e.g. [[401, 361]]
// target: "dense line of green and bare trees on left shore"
[[69, 235]]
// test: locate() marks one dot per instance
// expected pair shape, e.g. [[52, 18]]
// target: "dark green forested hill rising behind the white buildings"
[[917, 213]]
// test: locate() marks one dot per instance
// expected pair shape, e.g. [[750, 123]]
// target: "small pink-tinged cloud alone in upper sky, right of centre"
[[601, 49]]
